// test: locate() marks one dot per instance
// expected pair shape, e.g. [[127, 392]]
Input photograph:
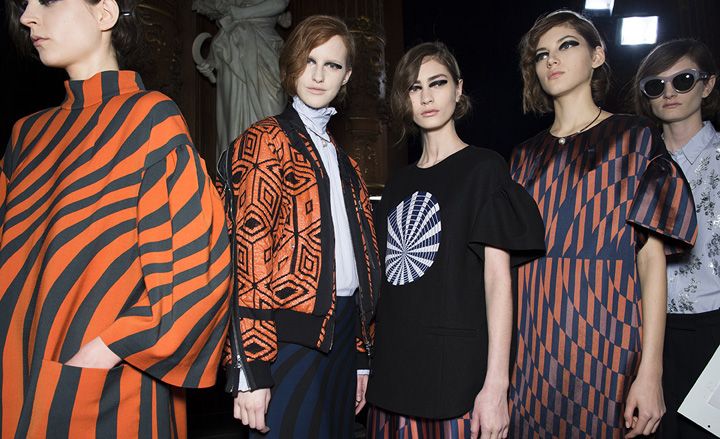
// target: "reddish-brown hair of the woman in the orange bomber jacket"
[[310, 33]]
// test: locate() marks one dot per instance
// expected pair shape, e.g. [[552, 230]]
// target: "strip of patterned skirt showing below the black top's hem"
[[387, 425]]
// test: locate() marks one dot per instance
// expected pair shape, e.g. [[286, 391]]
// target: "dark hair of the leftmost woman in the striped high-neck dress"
[[126, 34]]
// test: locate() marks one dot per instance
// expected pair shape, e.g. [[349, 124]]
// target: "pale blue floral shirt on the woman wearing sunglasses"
[[694, 278]]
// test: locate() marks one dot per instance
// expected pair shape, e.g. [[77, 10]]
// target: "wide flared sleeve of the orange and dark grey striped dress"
[[175, 330]]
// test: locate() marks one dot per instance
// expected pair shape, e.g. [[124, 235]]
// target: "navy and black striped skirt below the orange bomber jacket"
[[314, 393]]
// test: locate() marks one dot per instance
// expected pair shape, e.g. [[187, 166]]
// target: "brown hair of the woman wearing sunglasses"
[[665, 56]]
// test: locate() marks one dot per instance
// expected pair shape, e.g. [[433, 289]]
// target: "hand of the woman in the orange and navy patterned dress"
[[646, 397]]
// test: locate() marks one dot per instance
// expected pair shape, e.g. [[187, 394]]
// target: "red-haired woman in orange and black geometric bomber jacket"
[[305, 251]]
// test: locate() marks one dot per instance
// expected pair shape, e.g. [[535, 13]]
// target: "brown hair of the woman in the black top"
[[406, 74]]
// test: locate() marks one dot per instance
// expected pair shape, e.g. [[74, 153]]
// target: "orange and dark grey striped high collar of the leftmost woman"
[[100, 87]]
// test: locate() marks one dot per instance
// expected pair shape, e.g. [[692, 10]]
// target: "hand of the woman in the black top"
[[490, 418]]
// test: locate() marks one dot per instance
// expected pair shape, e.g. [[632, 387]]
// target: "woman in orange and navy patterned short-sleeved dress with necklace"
[[589, 358]]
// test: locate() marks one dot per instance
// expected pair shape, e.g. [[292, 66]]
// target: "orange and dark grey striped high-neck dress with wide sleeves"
[[109, 227]]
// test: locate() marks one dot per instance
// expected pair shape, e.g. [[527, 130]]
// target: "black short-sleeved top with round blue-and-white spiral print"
[[431, 327]]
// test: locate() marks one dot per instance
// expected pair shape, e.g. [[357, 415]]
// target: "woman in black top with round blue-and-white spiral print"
[[449, 228]]
